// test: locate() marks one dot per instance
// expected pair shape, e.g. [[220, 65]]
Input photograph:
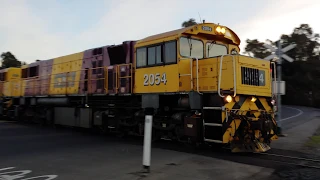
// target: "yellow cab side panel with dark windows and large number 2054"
[[156, 68]]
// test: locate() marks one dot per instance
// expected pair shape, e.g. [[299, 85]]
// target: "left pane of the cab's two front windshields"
[[191, 48]]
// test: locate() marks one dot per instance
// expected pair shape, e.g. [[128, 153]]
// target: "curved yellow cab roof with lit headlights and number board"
[[194, 30]]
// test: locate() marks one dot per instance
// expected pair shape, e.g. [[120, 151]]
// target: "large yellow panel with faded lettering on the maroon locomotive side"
[[64, 66]]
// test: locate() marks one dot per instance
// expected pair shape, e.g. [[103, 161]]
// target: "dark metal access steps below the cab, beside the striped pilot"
[[212, 123]]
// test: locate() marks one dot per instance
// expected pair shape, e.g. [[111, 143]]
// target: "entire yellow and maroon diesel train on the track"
[[192, 80]]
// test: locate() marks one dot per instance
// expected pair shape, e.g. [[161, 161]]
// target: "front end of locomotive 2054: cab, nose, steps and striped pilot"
[[226, 97]]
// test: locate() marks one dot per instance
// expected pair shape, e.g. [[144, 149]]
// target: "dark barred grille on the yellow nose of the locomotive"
[[253, 77]]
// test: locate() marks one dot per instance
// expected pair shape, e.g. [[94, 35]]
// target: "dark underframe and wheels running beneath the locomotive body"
[[179, 117]]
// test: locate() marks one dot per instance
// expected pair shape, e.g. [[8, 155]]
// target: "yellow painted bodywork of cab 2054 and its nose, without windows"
[[205, 77]]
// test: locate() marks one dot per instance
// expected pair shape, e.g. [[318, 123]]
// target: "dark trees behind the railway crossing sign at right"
[[302, 87]]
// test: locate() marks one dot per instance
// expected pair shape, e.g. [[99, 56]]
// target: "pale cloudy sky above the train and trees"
[[38, 29]]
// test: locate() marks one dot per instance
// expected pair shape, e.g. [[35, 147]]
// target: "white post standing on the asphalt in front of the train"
[[147, 140]]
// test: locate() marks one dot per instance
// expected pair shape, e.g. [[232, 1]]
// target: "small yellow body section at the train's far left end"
[[12, 83]]
